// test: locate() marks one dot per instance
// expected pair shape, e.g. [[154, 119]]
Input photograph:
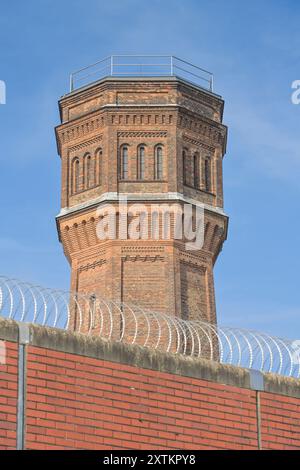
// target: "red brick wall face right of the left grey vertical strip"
[[83, 403]]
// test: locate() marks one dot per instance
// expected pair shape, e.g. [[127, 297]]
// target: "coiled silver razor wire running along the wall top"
[[93, 315]]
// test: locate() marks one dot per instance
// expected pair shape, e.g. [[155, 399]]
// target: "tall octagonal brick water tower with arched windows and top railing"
[[150, 129]]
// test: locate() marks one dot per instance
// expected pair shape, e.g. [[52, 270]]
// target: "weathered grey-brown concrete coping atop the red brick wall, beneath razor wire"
[[136, 356]]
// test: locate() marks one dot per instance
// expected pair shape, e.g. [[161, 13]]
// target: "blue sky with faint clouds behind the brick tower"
[[253, 50]]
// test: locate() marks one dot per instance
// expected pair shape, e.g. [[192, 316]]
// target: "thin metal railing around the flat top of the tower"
[[141, 66]]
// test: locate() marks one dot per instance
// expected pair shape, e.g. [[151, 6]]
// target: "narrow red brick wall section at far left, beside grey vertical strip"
[[8, 397]]
